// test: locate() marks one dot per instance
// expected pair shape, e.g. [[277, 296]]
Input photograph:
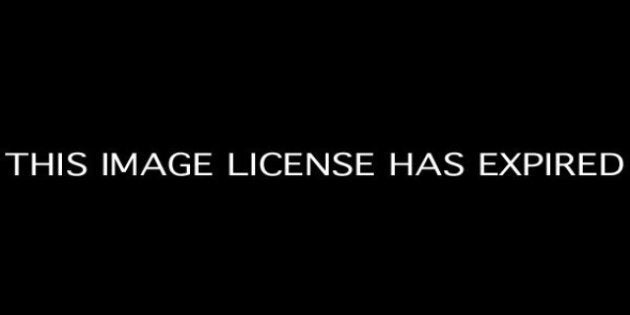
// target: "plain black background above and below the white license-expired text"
[[401, 80]]
